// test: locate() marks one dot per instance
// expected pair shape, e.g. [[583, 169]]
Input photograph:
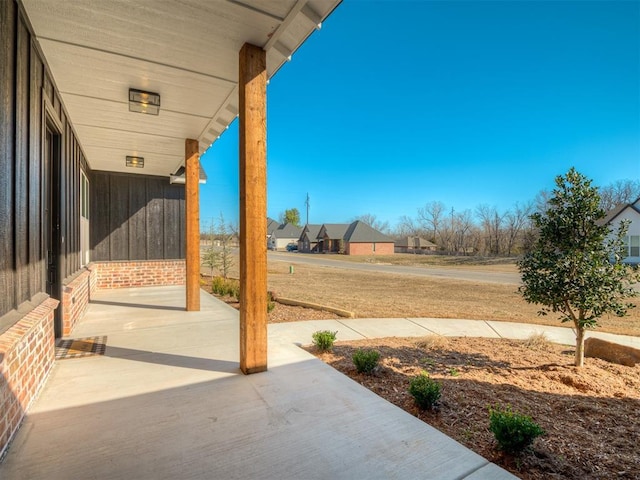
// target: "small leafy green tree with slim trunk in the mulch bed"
[[574, 268]]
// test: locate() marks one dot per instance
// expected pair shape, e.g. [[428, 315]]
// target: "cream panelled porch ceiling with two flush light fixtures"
[[186, 50]]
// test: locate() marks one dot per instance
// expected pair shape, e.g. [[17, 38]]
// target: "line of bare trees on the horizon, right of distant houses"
[[486, 230]]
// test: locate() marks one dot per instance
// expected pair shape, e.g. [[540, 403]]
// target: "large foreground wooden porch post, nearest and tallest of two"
[[253, 209]]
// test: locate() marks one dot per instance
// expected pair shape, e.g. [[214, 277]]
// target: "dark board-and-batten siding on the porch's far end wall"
[[136, 217]]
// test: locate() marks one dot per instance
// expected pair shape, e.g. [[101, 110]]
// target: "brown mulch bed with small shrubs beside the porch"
[[589, 414]]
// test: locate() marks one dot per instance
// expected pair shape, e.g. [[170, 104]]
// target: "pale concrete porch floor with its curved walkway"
[[167, 401]]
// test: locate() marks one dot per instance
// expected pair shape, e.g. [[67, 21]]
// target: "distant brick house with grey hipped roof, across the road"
[[356, 238]]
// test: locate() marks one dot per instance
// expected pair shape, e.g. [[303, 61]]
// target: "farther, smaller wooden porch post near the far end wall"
[[192, 203]]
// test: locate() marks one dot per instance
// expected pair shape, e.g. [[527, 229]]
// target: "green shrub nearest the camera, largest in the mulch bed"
[[513, 431]]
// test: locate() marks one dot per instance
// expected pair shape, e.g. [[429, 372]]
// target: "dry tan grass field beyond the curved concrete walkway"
[[375, 295]]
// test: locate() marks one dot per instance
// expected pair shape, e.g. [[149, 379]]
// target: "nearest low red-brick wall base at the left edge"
[[27, 353]]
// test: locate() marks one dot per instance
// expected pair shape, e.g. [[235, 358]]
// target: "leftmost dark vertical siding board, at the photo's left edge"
[[7, 133]]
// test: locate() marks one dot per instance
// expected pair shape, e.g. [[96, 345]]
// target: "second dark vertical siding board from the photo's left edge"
[[22, 164]]
